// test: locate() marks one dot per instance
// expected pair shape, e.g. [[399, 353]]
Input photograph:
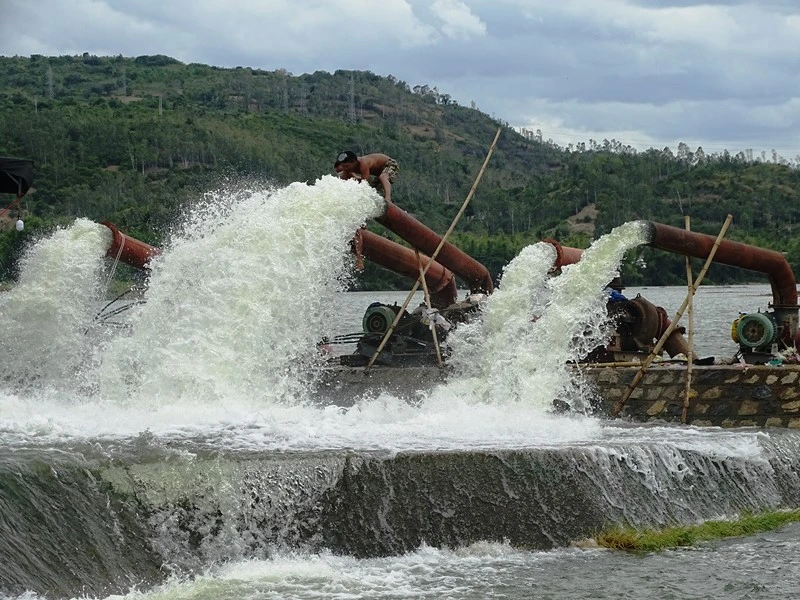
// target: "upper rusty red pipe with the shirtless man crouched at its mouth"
[[419, 236]]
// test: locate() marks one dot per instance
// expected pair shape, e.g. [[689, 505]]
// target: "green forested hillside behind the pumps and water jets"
[[132, 140]]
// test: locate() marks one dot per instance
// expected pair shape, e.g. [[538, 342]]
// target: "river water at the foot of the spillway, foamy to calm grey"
[[764, 566]]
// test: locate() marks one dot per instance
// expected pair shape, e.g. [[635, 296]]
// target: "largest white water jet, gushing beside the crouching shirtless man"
[[236, 303]]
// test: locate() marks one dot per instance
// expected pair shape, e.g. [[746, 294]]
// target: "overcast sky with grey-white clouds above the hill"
[[724, 74]]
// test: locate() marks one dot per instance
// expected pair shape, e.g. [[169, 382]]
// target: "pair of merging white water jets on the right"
[[534, 325]]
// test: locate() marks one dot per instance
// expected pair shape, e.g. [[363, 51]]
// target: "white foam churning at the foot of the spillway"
[[428, 572]]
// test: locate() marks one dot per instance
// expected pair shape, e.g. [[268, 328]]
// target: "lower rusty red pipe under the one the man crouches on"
[[403, 261]]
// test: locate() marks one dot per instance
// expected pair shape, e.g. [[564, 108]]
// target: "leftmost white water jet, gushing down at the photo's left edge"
[[45, 316]]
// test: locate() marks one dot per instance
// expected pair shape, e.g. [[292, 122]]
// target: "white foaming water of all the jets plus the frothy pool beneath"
[[235, 305]]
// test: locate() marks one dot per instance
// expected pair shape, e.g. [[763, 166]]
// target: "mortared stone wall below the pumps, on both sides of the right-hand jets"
[[723, 396]]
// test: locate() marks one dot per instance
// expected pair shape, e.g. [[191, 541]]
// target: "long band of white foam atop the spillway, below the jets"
[[384, 423]]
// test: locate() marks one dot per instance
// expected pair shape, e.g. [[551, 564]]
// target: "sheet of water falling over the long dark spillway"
[[126, 516]]
